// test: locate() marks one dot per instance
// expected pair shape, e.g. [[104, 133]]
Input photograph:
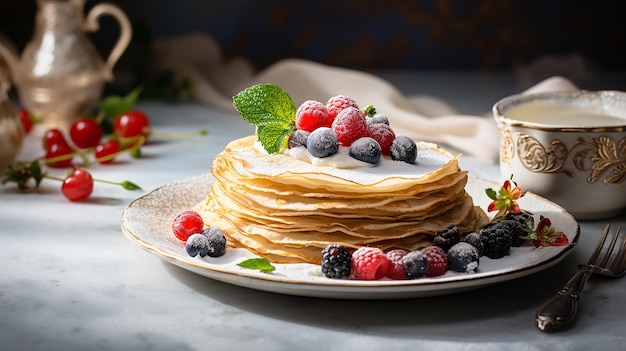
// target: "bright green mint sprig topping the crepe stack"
[[272, 110]]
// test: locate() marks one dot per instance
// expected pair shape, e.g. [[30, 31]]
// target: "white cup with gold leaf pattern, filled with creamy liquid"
[[569, 147]]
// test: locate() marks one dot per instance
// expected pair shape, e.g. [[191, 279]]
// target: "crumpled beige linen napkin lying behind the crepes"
[[198, 57]]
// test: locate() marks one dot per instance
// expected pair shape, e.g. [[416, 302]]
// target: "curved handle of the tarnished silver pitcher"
[[91, 25]]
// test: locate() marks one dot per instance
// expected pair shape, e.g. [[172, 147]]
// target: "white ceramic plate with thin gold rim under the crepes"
[[147, 222]]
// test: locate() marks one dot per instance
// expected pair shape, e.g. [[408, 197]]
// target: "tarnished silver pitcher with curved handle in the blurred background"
[[60, 73]]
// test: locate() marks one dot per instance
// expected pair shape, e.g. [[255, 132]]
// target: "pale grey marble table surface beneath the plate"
[[71, 280]]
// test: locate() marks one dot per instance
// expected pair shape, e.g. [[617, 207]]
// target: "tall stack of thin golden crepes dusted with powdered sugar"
[[287, 210]]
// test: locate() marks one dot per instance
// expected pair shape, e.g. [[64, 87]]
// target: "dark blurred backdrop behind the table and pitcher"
[[485, 36]]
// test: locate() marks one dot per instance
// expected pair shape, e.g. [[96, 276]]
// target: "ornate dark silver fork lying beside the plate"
[[561, 309]]
